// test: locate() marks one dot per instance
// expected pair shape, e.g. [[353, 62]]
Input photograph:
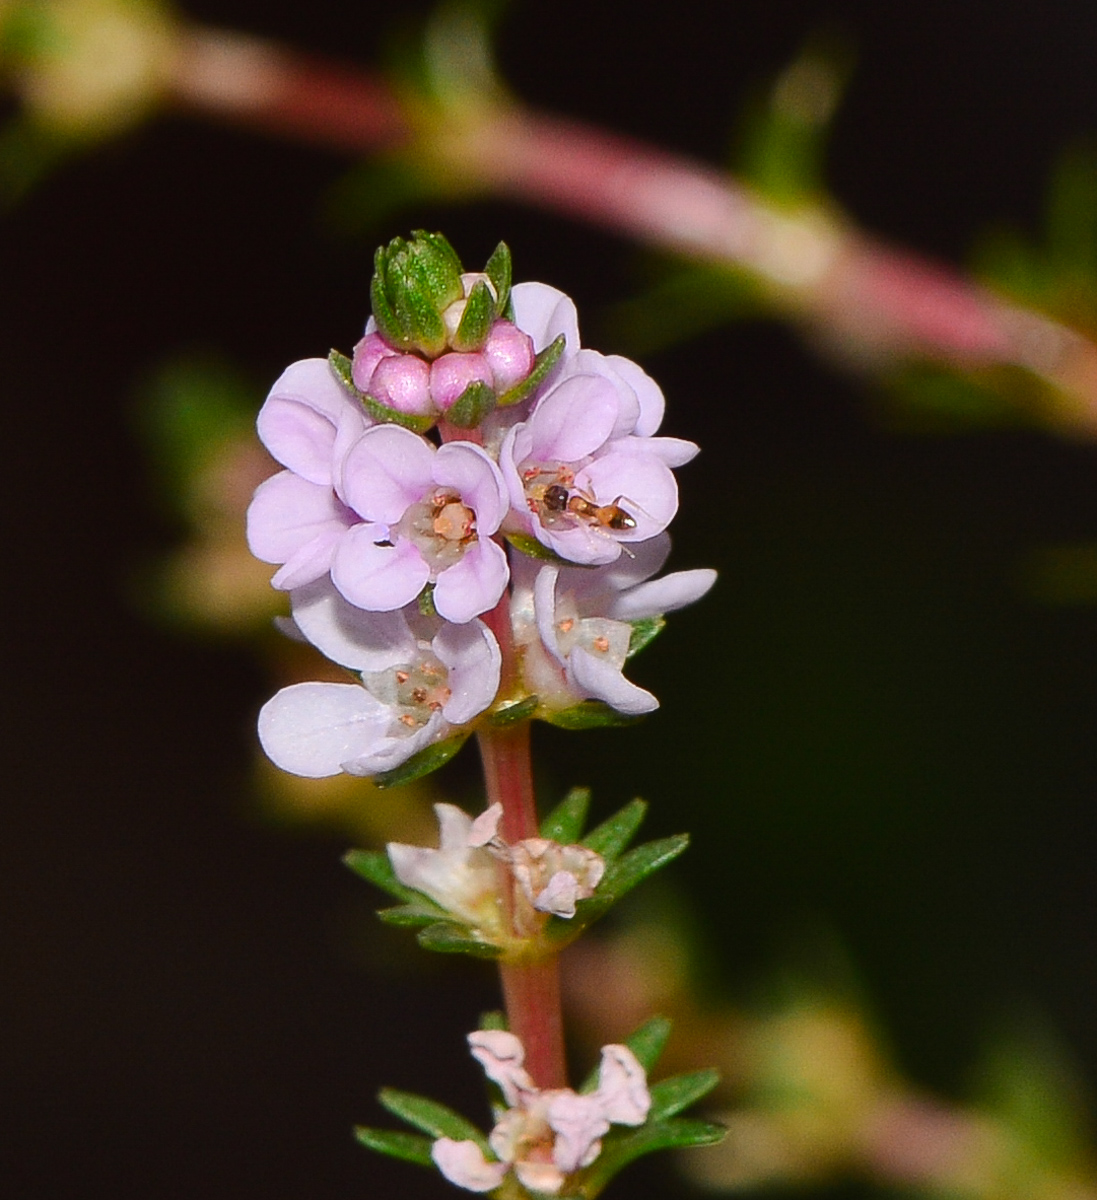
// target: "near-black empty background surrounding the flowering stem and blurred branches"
[[868, 725]]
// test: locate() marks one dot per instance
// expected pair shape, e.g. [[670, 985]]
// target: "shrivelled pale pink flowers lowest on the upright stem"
[[543, 1136]]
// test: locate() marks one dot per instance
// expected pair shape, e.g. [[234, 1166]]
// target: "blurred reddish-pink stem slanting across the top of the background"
[[882, 304]]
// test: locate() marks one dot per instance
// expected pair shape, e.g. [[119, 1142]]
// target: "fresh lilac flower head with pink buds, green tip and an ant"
[[471, 461]]
